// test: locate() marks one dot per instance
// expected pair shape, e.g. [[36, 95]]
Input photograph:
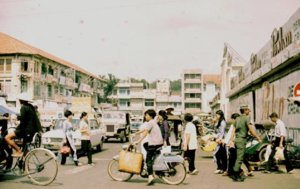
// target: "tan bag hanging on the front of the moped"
[[130, 161]]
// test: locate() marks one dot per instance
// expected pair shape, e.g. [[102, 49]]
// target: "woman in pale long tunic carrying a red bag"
[[68, 128]]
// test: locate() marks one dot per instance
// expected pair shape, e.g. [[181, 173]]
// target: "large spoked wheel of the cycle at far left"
[[41, 166]]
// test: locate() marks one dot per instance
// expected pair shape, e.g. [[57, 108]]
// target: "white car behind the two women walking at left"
[[54, 139]]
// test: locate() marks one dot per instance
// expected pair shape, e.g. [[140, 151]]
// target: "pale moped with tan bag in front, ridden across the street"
[[168, 167]]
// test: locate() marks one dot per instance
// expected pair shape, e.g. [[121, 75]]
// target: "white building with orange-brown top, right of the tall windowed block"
[[211, 87]]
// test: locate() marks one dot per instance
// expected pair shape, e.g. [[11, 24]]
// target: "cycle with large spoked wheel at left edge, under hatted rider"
[[39, 164]]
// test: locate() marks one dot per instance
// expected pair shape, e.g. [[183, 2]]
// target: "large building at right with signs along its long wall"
[[271, 77]]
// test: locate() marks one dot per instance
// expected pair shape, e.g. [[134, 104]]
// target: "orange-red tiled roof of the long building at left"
[[10, 45]]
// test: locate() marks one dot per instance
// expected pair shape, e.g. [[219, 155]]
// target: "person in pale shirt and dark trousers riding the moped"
[[155, 141]]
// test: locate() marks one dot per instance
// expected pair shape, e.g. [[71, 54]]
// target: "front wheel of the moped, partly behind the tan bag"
[[115, 174]]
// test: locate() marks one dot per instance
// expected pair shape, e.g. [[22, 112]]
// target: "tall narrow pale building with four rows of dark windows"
[[192, 88]]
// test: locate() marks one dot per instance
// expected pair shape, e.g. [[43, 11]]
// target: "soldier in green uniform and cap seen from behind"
[[242, 126]]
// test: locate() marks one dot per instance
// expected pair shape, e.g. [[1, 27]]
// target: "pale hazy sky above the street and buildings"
[[149, 39]]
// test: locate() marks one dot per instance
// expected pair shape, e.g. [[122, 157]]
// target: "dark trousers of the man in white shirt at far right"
[[287, 162]]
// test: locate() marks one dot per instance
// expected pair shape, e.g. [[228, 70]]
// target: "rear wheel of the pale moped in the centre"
[[176, 175]]
